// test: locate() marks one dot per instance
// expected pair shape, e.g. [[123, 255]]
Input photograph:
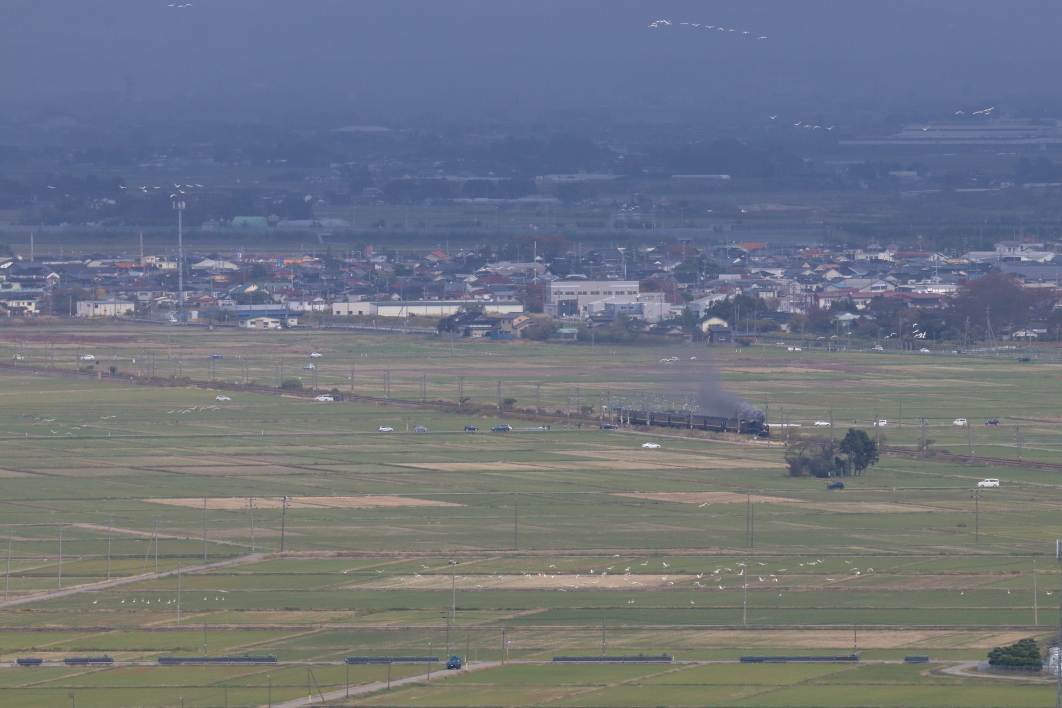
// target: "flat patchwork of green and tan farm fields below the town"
[[567, 541]]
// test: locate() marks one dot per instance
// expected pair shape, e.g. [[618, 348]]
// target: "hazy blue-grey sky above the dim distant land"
[[379, 60]]
